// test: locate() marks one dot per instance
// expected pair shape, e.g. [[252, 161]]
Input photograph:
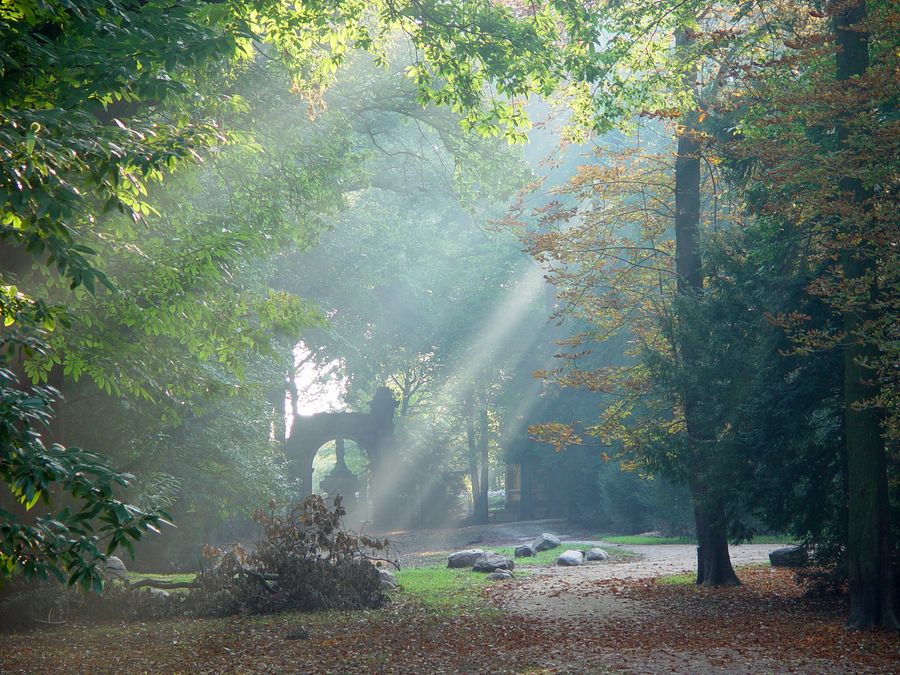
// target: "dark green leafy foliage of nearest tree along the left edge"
[[98, 101]]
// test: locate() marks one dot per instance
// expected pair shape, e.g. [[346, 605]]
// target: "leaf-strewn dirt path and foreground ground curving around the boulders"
[[598, 618]]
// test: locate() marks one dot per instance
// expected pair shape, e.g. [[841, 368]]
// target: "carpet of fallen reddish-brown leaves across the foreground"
[[765, 625]]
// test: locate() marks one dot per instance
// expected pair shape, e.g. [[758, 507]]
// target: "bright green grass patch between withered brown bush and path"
[[441, 588]]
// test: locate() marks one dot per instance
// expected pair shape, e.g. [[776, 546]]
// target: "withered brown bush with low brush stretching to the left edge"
[[303, 561]]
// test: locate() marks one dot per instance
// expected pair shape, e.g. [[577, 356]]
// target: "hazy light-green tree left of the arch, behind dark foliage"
[[194, 344]]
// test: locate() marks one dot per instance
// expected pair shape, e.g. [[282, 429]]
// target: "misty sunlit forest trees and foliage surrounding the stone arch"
[[189, 193]]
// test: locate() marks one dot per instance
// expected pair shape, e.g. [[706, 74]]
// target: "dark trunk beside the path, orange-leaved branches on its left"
[[713, 561]]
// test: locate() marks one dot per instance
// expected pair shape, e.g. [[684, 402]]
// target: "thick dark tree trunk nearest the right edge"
[[869, 546]]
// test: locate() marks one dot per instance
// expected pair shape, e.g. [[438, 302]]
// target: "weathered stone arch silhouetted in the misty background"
[[372, 431]]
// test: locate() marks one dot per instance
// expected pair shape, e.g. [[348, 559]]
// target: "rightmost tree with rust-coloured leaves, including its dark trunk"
[[818, 162]]
